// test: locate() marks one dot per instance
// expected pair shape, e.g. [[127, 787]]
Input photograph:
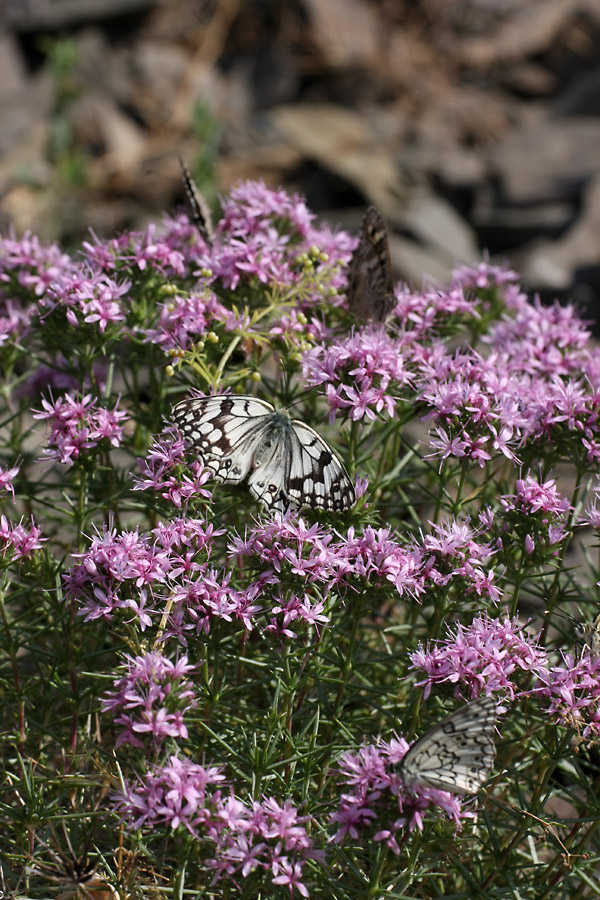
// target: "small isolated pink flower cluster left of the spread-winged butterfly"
[[78, 425]]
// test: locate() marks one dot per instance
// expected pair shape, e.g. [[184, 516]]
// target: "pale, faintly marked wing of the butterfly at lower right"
[[457, 754]]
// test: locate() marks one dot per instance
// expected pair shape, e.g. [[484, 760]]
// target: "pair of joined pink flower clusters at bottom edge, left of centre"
[[237, 838]]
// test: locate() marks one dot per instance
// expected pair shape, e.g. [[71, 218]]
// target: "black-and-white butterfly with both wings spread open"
[[286, 463]]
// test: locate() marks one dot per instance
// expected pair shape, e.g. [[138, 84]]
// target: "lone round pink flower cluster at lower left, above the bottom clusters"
[[150, 699]]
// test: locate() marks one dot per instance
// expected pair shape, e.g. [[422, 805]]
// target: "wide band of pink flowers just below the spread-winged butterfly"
[[138, 573]]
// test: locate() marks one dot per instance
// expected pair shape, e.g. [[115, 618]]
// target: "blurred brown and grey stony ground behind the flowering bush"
[[473, 125]]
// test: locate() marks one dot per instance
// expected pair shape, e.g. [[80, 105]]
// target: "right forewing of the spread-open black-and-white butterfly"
[[316, 476]]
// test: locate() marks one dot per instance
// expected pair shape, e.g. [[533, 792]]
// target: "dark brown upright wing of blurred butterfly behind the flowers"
[[370, 287]]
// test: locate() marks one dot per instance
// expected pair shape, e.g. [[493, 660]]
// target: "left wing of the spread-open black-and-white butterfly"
[[226, 432]]
